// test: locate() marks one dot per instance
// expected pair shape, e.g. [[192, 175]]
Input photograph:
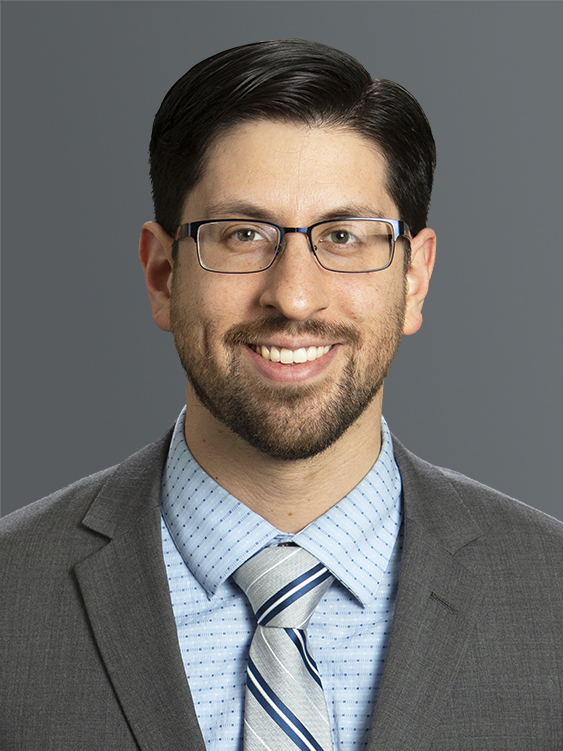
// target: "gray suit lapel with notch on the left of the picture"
[[127, 601]]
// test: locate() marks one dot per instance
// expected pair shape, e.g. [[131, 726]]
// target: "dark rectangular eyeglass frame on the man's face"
[[191, 229]]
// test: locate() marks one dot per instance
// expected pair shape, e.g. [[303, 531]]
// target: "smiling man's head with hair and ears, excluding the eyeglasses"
[[291, 133]]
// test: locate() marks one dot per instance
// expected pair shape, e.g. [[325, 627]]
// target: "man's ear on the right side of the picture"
[[423, 254]]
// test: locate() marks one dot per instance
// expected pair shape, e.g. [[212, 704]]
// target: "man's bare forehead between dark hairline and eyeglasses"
[[291, 173]]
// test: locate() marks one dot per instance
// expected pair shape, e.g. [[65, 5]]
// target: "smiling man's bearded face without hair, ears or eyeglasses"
[[227, 327]]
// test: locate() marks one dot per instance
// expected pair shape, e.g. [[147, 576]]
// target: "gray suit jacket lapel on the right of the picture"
[[437, 604]]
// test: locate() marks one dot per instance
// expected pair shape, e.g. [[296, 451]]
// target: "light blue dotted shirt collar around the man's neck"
[[215, 533]]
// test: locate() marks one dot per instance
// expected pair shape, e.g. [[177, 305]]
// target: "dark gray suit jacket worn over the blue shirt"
[[90, 656]]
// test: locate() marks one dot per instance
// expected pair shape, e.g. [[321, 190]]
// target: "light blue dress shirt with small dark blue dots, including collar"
[[207, 534]]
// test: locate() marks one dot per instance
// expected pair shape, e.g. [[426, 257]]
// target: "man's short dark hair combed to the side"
[[290, 81]]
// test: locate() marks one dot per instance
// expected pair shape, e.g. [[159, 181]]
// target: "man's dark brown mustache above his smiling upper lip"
[[253, 332]]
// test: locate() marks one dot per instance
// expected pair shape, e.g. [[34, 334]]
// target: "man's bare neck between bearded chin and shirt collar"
[[288, 494]]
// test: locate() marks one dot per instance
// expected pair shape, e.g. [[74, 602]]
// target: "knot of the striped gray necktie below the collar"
[[284, 586]]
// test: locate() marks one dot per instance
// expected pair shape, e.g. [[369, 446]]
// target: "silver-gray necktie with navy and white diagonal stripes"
[[285, 706]]
